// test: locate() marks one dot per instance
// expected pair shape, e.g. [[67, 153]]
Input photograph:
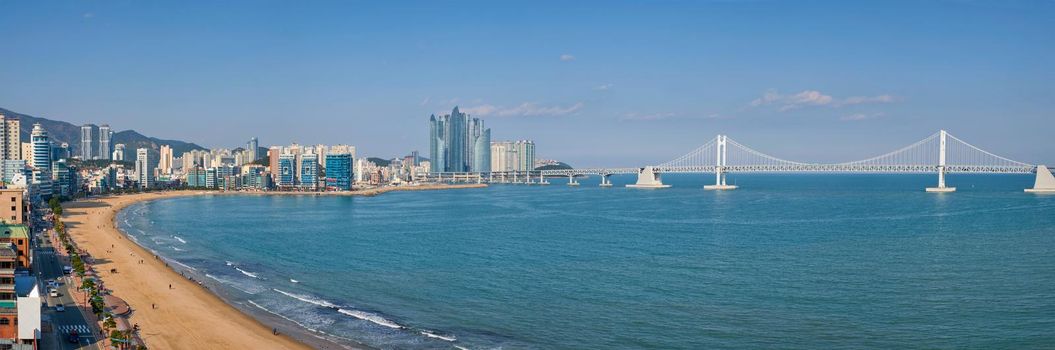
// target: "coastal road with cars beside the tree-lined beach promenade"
[[49, 266]]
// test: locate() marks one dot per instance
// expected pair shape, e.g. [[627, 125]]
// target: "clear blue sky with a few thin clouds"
[[594, 84]]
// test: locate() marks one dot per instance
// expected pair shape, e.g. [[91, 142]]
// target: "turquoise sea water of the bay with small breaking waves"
[[787, 262]]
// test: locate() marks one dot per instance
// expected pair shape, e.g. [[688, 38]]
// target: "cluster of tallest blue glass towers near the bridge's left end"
[[458, 144]]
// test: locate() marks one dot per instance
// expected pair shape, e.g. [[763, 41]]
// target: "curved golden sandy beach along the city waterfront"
[[188, 317]]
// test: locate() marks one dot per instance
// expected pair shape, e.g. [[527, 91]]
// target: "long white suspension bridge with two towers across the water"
[[941, 153]]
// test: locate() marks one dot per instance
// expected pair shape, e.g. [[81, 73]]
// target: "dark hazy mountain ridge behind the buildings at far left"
[[65, 132]]
